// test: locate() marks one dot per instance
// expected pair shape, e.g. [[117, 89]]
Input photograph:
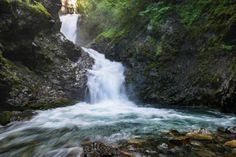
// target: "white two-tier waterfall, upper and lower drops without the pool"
[[106, 79]]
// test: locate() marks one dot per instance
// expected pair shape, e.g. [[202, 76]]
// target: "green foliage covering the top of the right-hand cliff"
[[202, 20]]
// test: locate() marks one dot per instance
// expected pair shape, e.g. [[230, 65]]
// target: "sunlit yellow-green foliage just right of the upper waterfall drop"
[[108, 17]]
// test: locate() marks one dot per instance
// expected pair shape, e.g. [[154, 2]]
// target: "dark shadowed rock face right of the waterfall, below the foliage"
[[189, 78]]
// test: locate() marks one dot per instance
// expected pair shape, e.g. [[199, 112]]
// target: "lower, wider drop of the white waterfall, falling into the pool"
[[106, 79]]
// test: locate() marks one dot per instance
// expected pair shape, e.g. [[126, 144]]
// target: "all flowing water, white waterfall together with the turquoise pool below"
[[110, 117]]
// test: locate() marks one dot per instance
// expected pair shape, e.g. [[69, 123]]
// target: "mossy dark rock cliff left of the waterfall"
[[39, 68]]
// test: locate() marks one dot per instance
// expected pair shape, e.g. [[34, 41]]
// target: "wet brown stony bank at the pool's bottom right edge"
[[178, 144]]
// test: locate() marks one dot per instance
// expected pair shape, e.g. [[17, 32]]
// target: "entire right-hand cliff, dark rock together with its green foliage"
[[175, 52]]
